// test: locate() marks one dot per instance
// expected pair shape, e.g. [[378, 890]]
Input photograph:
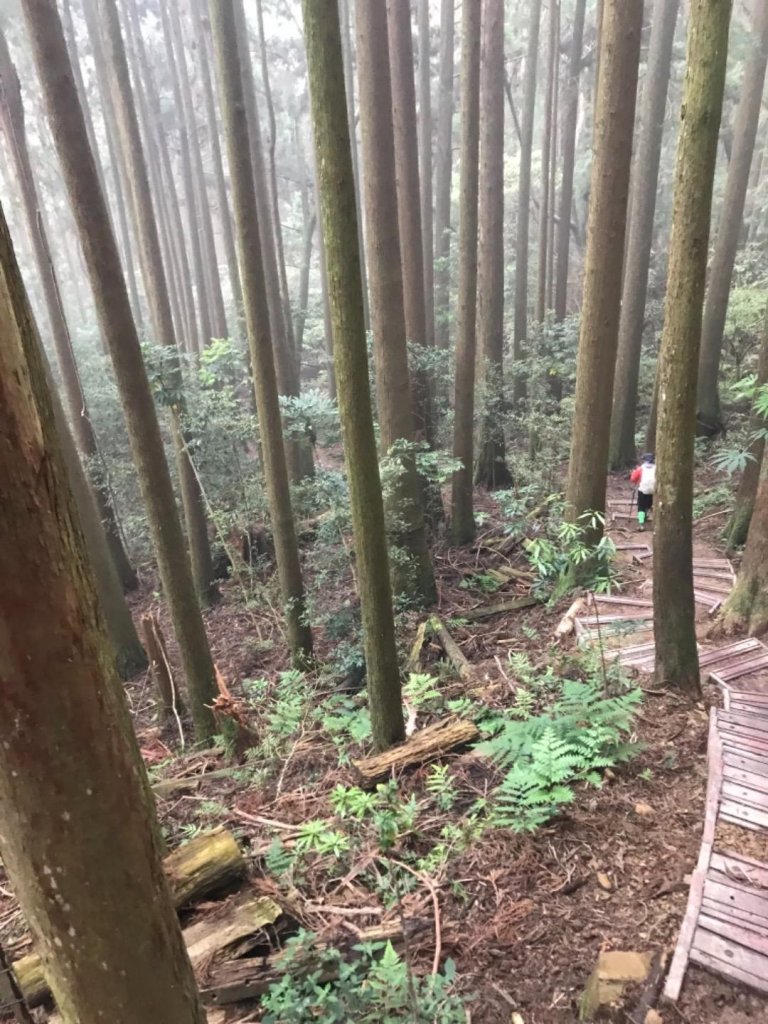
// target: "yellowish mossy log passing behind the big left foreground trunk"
[[200, 868]]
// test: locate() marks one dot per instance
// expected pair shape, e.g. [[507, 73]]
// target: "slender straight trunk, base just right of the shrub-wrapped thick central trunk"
[[462, 519]]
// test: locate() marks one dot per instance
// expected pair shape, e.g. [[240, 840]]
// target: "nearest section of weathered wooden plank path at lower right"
[[726, 928]]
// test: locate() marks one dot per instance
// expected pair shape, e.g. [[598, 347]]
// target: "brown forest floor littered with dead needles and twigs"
[[525, 917]]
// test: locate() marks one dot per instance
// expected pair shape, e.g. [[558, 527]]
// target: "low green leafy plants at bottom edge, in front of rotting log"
[[376, 987]]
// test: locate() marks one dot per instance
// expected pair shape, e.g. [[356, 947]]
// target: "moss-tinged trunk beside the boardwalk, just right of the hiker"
[[674, 609]]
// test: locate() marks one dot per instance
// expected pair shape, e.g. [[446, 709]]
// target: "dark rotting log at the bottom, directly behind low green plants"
[[238, 980]]
